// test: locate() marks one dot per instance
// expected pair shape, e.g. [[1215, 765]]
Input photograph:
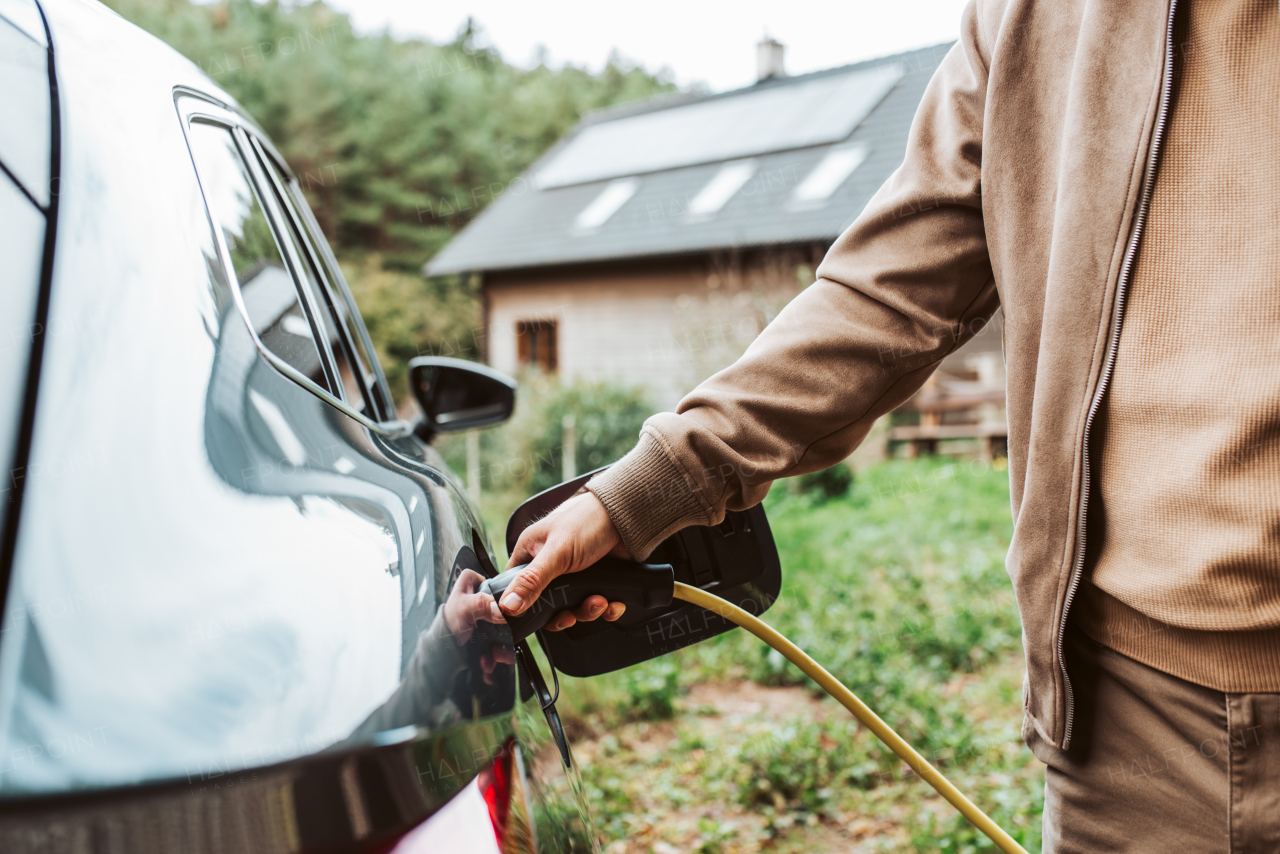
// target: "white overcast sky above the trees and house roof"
[[697, 40]]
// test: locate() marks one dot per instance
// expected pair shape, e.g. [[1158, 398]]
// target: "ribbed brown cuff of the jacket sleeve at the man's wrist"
[[648, 497]]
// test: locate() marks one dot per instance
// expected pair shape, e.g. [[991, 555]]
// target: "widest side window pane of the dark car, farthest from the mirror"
[[271, 296]]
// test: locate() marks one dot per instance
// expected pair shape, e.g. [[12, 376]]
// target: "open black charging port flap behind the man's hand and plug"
[[735, 560]]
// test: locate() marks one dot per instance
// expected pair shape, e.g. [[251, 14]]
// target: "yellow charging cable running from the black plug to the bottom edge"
[[872, 721]]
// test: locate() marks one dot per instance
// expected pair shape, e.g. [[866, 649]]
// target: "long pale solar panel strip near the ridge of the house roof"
[[776, 118]]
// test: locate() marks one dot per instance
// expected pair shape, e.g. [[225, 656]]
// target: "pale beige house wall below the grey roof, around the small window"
[[665, 326]]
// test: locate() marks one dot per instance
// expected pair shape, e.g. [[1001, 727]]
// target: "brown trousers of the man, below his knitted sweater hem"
[[1160, 765]]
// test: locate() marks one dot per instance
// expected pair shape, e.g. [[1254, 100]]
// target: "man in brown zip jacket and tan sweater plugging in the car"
[[1109, 173]]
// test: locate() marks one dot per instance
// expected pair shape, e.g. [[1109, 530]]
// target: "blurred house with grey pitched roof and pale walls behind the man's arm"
[[653, 243]]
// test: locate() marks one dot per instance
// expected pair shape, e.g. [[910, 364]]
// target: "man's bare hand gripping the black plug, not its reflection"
[[572, 538]]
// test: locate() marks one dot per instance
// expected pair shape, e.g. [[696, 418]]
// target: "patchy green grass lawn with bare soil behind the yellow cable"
[[899, 590]]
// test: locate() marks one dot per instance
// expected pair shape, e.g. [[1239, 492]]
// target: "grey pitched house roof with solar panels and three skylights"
[[785, 162]]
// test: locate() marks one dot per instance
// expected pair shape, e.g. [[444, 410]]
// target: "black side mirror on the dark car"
[[458, 395]]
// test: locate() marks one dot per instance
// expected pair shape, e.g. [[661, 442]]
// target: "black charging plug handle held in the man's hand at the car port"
[[638, 586]]
